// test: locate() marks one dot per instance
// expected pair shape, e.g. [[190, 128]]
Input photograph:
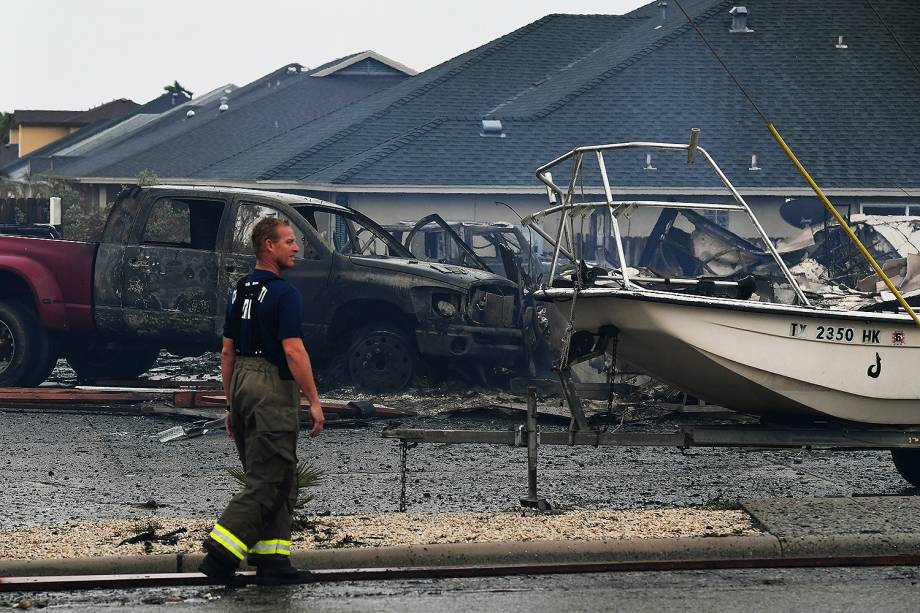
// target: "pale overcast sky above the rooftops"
[[77, 54]]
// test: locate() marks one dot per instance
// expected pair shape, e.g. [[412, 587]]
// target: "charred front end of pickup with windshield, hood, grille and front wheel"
[[394, 308]]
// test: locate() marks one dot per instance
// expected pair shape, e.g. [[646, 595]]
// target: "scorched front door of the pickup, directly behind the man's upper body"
[[310, 274]]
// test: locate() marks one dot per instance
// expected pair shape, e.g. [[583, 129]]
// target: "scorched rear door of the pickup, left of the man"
[[170, 270]]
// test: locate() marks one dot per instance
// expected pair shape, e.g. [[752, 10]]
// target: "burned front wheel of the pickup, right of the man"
[[381, 357]]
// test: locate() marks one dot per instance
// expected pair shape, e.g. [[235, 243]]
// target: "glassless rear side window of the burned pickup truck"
[[185, 223]]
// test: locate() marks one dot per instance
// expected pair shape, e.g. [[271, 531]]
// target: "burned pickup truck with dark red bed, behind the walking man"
[[170, 255]]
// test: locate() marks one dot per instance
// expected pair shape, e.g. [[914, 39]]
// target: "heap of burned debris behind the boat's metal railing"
[[827, 266]]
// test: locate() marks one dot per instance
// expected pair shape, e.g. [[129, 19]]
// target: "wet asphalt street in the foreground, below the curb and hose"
[[770, 590]]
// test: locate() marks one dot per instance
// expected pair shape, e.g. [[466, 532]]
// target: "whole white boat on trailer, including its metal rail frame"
[[723, 338]]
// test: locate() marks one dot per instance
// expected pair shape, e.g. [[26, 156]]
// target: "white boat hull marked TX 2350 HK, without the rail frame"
[[764, 358]]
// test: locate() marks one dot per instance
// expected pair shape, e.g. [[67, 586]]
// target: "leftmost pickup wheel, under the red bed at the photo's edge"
[[24, 346]]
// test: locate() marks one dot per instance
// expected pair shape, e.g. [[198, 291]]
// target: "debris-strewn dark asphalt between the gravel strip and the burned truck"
[[78, 467]]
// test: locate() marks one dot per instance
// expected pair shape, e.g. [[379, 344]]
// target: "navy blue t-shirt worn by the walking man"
[[279, 315]]
